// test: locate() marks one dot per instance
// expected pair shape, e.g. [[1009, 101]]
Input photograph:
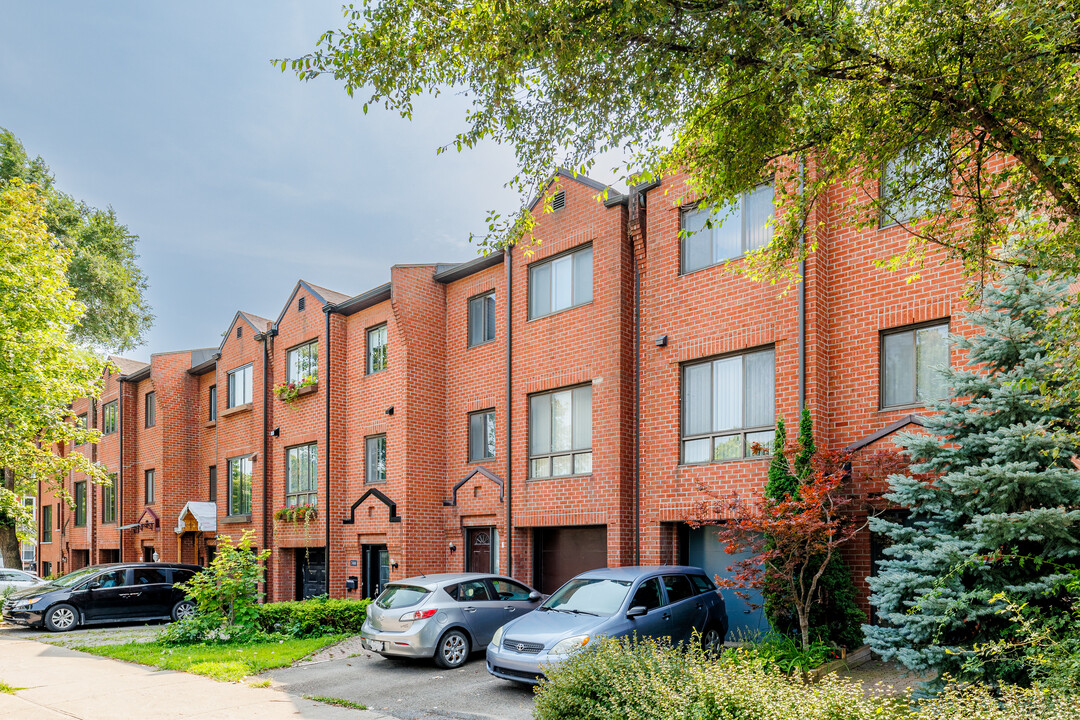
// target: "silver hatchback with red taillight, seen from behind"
[[444, 617]]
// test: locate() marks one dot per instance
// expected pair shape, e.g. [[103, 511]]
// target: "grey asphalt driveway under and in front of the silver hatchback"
[[411, 690]]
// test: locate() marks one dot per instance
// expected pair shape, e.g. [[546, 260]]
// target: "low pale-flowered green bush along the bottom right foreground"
[[650, 681]]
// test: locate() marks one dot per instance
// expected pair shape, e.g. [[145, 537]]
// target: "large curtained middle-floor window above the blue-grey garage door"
[[727, 406]]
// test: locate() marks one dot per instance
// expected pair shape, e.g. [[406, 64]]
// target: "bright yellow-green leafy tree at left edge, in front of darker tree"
[[44, 370]]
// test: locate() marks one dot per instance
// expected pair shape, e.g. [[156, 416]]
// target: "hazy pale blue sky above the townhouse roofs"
[[238, 179]]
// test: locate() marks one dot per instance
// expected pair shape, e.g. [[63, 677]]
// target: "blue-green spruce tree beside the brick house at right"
[[1002, 510]]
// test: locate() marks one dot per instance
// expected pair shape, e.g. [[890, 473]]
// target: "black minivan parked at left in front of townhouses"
[[127, 592]]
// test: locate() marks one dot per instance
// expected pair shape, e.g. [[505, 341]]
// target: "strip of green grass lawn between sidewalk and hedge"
[[229, 663]]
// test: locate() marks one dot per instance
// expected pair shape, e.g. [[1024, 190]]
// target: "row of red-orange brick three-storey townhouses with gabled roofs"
[[539, 412]]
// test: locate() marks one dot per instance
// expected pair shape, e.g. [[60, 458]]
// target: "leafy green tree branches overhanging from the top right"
[[725, 89]]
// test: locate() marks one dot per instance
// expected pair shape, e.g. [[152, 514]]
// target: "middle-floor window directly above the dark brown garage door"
[[561, 433]]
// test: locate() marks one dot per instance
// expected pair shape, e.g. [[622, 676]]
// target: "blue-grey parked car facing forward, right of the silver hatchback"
[[672, 602]]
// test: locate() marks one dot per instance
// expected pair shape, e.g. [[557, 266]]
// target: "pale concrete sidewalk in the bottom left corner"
[[60, 684]]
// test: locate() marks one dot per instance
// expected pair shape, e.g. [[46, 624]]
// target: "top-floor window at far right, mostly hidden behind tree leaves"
[[915, 184]]
